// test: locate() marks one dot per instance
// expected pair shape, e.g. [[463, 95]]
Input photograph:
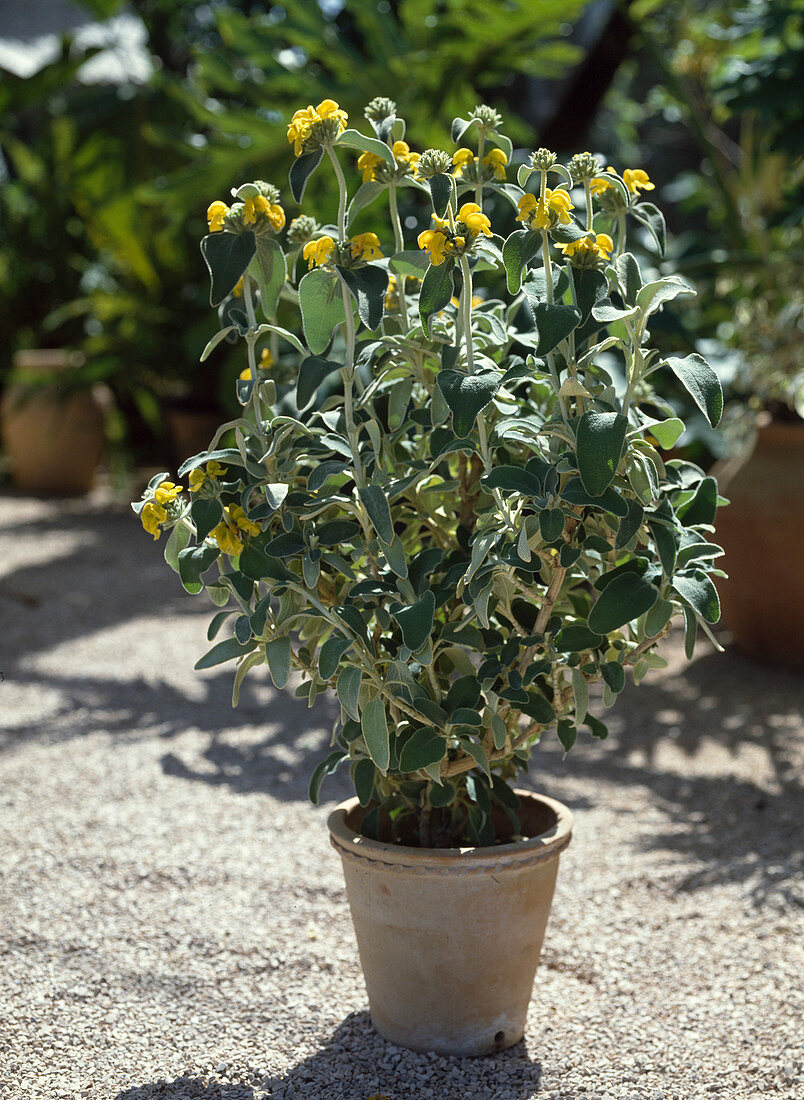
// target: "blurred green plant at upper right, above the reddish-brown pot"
[[720, 115]]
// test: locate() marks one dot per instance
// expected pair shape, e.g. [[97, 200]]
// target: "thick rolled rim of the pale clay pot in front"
[[547, 845]]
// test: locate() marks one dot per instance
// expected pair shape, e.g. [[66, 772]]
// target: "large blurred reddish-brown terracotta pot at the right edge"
[[763, 534]]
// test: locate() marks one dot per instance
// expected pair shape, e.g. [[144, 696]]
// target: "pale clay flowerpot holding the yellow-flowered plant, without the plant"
[[449, 939]]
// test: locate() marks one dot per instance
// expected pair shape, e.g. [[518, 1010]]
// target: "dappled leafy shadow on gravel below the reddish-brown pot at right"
[[737, 830]]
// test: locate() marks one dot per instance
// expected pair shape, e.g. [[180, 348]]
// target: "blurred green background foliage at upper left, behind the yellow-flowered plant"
[[96, 257]]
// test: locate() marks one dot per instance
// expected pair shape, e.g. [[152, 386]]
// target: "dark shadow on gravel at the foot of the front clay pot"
[[357, 1063]]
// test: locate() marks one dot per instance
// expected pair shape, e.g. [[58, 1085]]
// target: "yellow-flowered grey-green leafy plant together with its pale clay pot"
[[458, 522]]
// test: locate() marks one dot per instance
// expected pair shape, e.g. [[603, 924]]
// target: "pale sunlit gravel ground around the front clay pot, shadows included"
[[173, 922]]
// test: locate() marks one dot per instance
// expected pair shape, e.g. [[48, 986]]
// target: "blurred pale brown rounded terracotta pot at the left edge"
[[54, 436]]
